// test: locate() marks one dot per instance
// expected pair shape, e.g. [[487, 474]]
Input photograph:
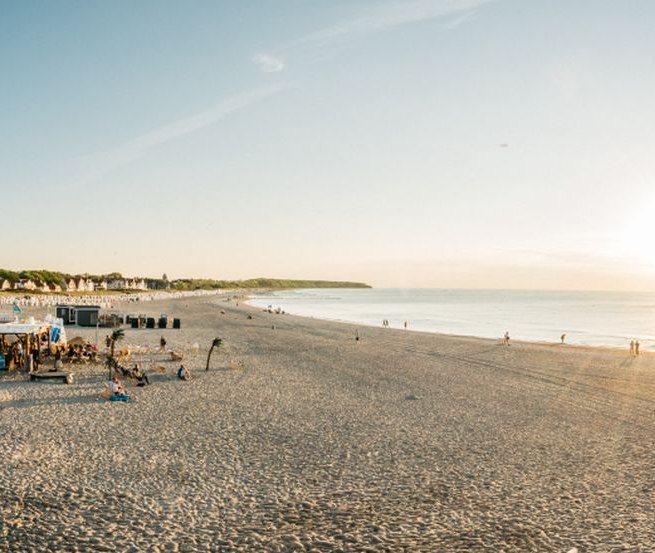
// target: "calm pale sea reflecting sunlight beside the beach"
[[589, 318]]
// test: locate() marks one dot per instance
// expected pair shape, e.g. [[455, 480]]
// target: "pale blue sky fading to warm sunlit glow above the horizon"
[[415, 143]]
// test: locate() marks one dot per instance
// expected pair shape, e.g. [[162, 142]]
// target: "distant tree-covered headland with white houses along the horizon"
[[57, 282]]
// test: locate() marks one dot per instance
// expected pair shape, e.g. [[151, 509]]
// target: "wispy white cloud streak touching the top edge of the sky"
[[391, 16]]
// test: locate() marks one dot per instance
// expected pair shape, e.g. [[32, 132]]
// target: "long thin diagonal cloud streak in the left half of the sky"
[[98, 165]]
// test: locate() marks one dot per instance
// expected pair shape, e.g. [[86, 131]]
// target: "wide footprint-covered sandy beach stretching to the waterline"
[[299, 438]]
